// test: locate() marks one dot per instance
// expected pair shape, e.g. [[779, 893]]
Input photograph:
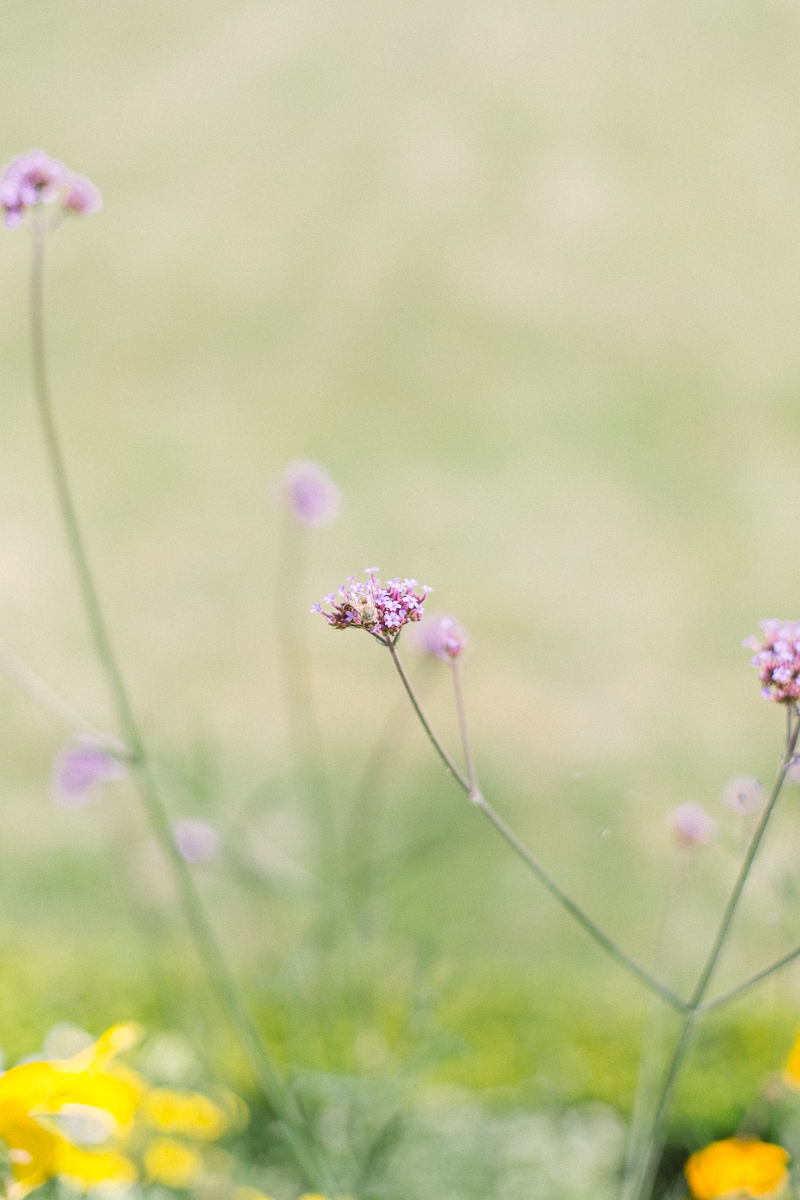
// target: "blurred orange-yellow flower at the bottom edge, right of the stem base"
[[738, 1167]]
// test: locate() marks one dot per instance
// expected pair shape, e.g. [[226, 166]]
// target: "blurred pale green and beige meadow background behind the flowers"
[[526, 277]]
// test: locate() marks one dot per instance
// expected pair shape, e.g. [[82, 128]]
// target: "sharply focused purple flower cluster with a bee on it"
[[382, 609]]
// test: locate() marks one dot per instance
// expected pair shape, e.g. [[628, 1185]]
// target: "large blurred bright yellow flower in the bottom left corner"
[[40, 1102]]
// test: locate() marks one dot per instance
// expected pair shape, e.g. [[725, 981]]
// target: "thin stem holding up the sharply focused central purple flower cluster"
[[531, 860]]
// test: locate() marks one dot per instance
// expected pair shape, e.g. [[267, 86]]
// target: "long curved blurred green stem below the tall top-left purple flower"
[[258, 1054]]
